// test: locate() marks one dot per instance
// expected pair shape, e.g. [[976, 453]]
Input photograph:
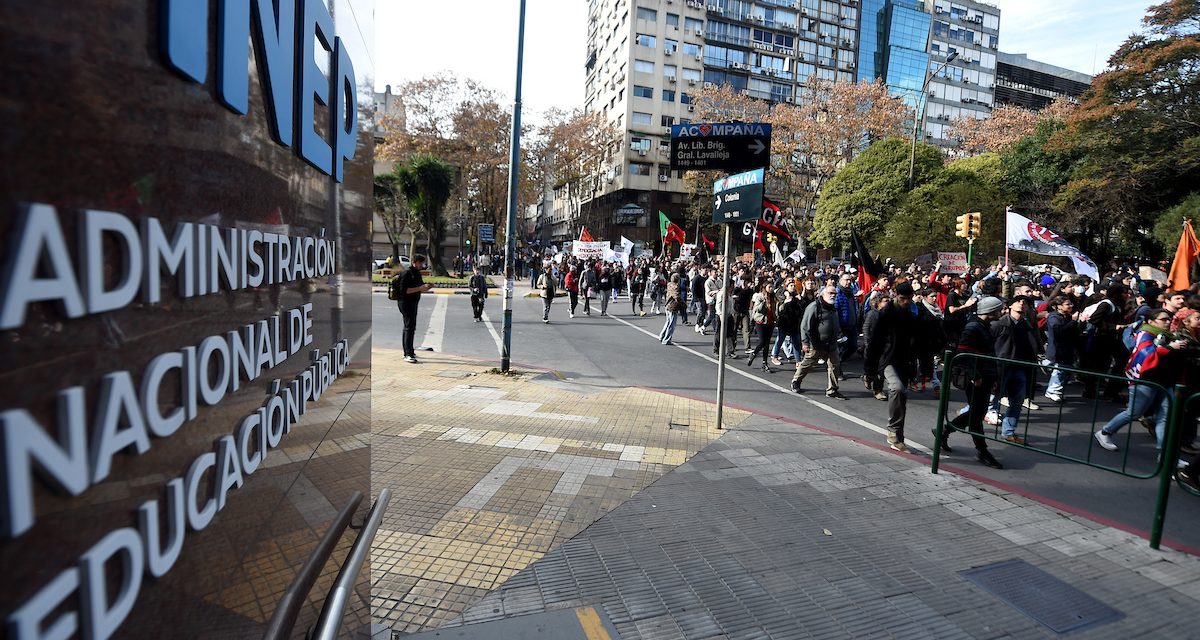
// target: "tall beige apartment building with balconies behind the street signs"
[[647, 58]]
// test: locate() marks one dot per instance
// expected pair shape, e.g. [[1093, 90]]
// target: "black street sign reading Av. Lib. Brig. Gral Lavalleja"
[[725, 147]]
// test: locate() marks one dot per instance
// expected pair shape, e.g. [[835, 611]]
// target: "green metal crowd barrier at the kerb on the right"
[[1067, 440]]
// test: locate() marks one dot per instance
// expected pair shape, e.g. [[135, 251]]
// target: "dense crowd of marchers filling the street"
[[1001, 322]]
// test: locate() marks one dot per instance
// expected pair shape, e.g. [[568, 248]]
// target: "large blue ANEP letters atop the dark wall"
[[287, 34]]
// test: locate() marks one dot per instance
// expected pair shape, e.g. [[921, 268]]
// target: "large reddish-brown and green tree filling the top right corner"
[[1138, 128]]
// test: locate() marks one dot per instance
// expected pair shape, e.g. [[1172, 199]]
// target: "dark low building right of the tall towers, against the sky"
[[1034, 85]]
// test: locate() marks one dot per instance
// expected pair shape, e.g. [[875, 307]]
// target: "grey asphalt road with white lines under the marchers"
[[623, 351]]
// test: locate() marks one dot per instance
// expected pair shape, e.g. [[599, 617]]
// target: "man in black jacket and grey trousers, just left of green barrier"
[[899, 354]]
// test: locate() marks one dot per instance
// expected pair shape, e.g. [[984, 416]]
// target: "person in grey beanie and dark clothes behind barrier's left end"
[[980, 376]]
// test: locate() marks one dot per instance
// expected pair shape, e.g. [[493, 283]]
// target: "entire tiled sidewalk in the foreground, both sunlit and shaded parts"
[[772, 531]]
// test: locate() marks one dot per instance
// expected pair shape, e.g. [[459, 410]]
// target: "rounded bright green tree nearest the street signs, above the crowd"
[[869, 192]]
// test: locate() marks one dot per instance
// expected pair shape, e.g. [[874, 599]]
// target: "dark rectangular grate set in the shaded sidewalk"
[[1041, 596]]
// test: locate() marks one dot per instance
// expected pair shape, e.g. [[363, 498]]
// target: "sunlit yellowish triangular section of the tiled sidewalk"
[[491, 472]]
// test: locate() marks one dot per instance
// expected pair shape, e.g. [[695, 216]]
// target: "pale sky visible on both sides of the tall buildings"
[[477, 39]]
